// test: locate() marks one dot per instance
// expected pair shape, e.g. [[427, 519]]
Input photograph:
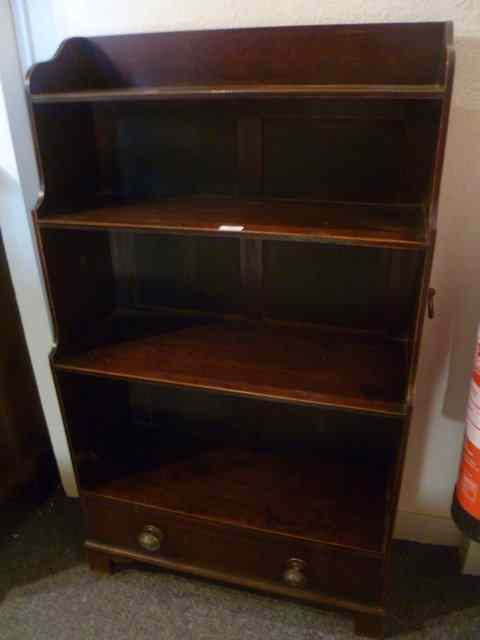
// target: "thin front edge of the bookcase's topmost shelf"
[[221, 91]]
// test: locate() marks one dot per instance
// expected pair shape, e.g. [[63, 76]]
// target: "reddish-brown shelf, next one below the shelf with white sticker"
[[296, 364]]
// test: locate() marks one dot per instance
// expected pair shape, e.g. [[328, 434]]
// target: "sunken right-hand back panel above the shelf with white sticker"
[[345, 159]]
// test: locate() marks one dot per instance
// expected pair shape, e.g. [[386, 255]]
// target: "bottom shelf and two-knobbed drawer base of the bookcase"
[[305, 525]]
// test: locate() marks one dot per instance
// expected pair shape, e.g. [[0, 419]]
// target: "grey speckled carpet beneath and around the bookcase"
[[48, 593]]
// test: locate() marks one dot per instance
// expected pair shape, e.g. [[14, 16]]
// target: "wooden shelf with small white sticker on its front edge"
[[401, 226]]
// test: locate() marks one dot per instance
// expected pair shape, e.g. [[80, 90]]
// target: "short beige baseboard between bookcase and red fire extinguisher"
[[428, 529]]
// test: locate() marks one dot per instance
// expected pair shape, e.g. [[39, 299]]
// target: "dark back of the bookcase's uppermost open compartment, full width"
[[333, 153]]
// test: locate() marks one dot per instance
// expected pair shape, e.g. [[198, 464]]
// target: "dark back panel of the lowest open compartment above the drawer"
[[218, 420]]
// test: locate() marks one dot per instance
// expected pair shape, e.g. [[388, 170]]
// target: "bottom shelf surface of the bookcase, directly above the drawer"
[[314, 495]]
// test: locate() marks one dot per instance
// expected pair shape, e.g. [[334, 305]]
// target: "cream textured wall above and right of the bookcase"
[[446, 357]]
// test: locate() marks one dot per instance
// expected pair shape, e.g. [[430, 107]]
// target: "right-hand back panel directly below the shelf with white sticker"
[[341, 286]]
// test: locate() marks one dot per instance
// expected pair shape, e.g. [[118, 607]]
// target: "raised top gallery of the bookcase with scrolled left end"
[[372, 59]]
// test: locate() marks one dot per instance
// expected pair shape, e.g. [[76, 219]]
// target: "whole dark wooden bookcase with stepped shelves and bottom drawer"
[[237, 232]]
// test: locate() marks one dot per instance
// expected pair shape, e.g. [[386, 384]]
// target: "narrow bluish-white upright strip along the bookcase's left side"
[[18, 188]]
